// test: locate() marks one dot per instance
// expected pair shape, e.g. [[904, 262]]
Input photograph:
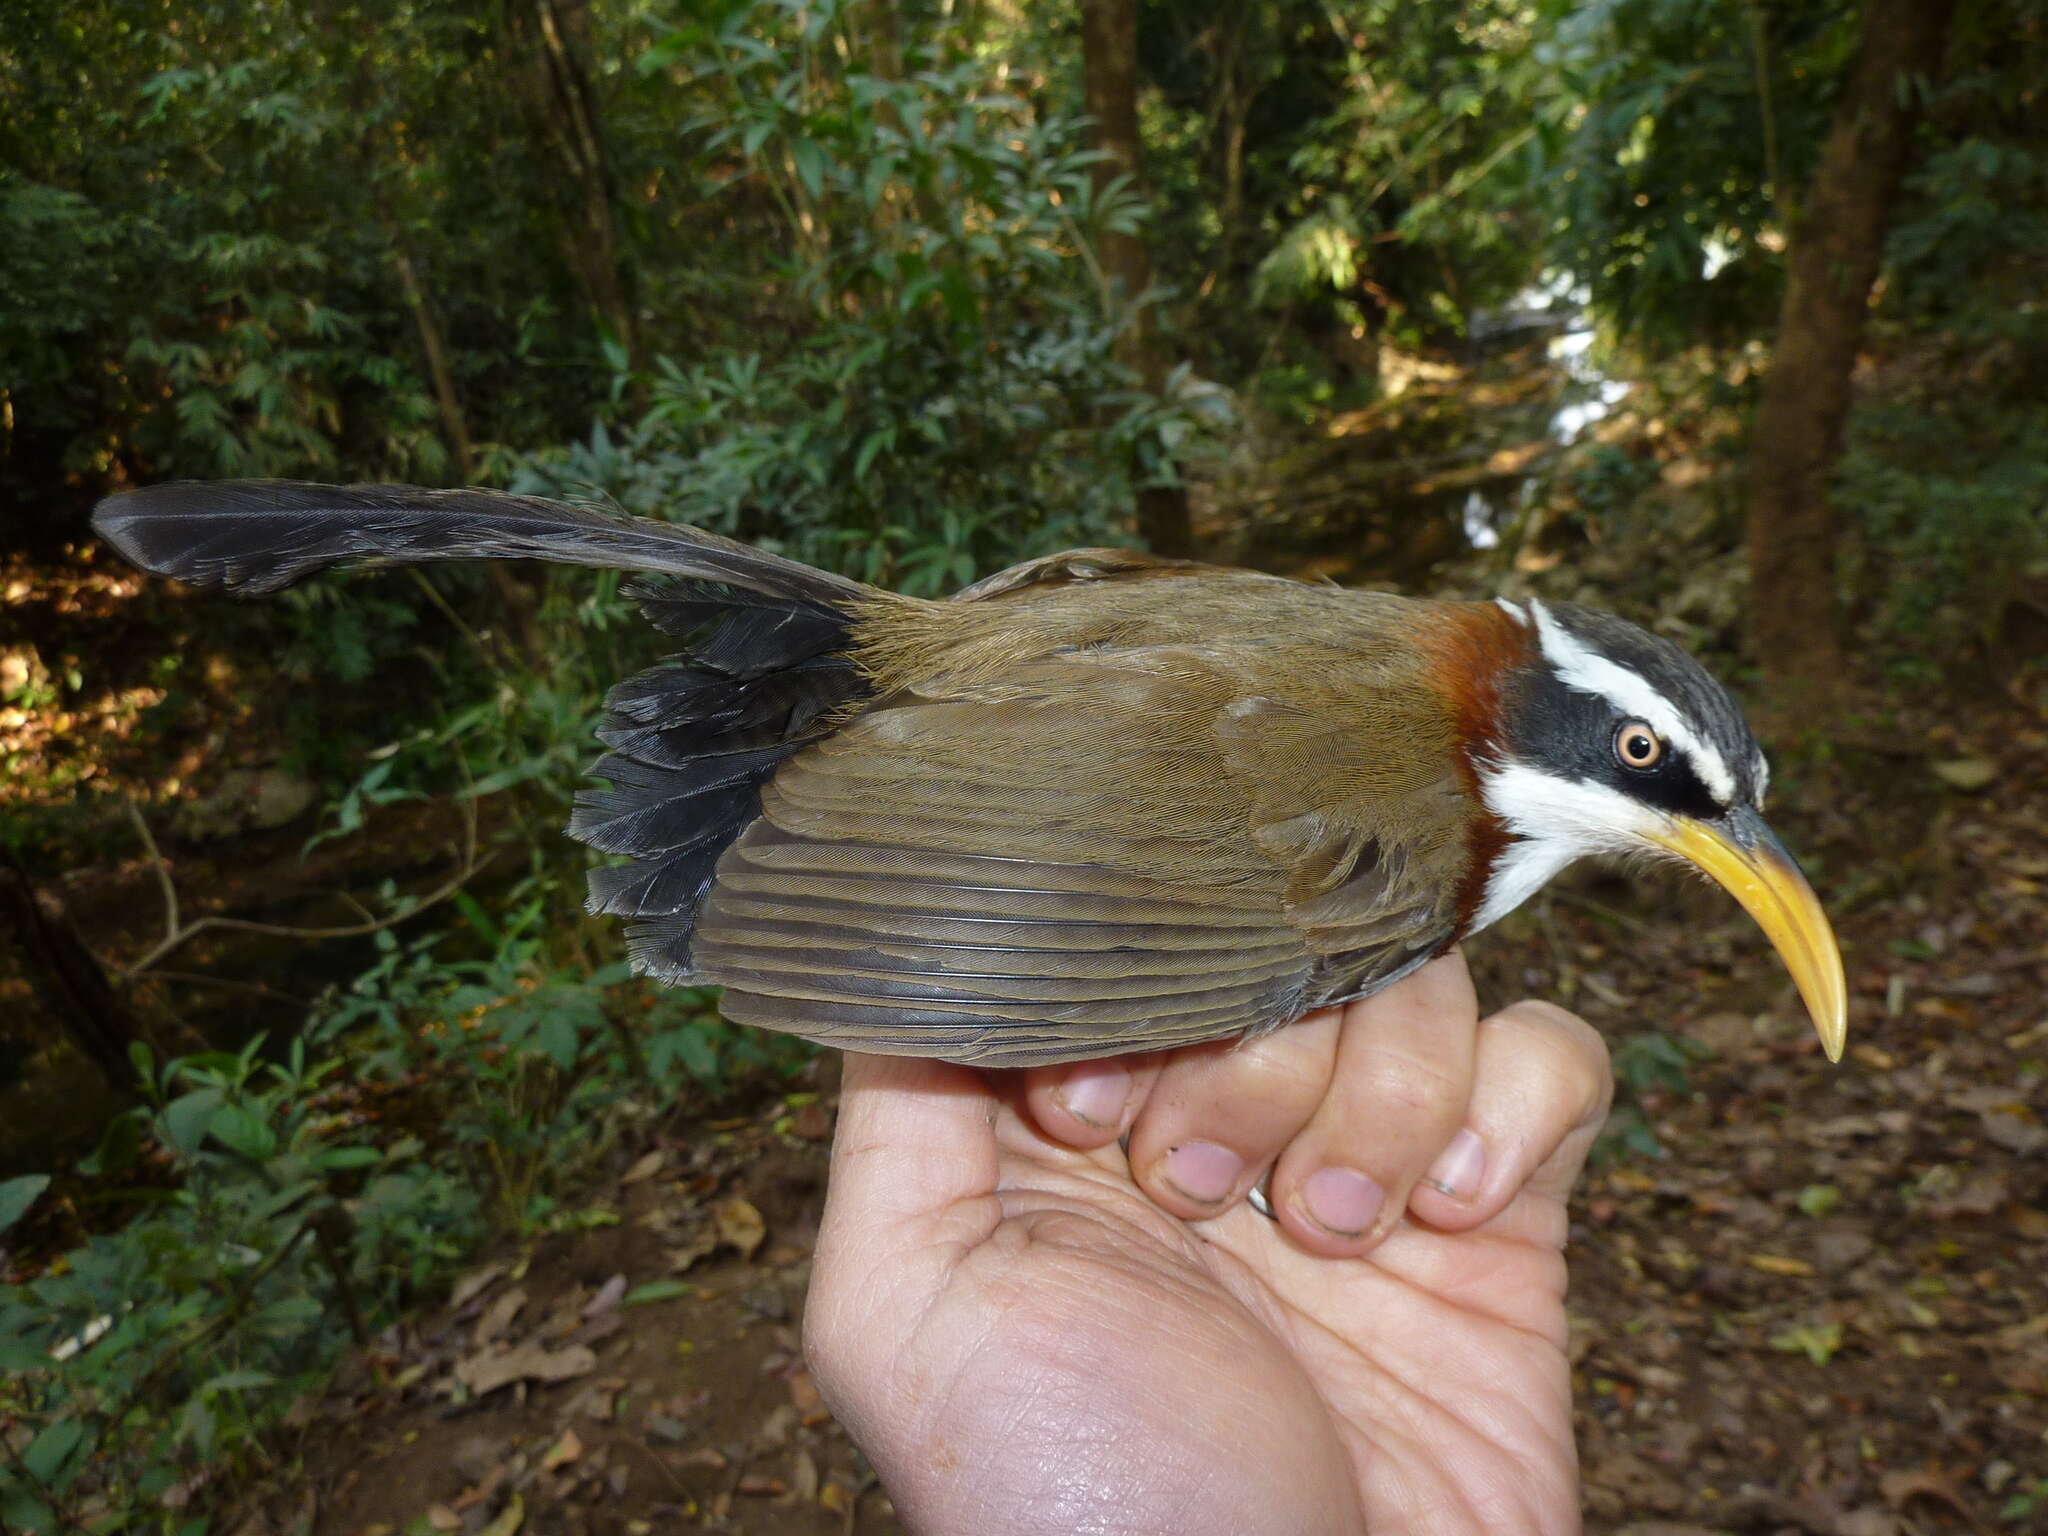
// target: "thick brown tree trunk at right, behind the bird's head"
[[1832, 263]]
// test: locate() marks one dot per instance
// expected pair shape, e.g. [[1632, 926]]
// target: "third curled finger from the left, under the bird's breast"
[[1404, 1078]]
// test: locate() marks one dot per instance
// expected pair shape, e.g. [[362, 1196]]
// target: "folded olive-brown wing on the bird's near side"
[[1056, 865]]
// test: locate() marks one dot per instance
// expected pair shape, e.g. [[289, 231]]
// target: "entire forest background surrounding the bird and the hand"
[[1721, 314]]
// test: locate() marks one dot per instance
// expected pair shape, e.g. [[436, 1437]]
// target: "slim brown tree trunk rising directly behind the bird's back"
[[1111, 67]]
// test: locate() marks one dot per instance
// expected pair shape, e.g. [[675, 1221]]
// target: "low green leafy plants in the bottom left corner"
[[159, 1351]]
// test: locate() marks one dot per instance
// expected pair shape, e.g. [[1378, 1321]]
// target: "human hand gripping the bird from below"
[[1025, 1336]]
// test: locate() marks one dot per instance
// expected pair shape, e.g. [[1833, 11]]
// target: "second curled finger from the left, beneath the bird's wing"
[[1220, 1115]]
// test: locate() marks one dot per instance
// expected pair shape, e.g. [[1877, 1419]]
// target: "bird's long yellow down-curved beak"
[[1752, 865]]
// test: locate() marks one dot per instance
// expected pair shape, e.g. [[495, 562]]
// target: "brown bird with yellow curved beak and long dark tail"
[[1101, 802]]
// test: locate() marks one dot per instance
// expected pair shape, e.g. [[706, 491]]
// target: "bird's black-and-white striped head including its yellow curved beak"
[[1609, 740]]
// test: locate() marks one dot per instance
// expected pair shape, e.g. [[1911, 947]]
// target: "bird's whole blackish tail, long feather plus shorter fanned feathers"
[[691, 740]]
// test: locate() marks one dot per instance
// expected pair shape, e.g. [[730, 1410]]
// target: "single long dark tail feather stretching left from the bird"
[[267, 534]]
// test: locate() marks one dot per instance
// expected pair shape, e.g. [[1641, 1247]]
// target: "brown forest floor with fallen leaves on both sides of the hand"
[[1805, 1297]]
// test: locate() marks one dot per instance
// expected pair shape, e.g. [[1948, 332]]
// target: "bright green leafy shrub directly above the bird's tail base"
[[951, 400]]
